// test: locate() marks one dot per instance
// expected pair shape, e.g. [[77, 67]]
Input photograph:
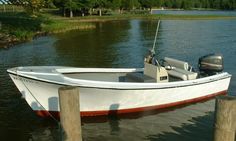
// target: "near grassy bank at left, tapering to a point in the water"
[[20, 27]]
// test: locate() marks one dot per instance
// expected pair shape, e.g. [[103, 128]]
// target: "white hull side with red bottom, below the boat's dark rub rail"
[[43, 96]]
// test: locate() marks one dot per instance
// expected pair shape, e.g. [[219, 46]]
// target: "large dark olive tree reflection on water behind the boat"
[[93, 48]]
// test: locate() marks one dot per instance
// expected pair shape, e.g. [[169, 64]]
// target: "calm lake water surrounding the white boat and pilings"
[[119, 44]]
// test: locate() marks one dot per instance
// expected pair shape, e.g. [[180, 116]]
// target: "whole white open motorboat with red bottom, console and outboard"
[[108, 90]]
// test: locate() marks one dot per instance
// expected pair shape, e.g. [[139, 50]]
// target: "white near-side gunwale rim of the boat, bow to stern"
[[125, 85]]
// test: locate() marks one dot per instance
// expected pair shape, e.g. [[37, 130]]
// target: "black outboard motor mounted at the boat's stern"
[[211, 64]]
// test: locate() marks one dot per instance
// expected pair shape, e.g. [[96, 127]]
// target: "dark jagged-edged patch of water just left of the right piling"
[[200, 129]]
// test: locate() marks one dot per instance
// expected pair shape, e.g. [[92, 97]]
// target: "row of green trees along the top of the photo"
[[89, 7]]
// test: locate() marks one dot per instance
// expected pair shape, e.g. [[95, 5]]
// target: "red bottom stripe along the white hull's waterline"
[[134, 110]]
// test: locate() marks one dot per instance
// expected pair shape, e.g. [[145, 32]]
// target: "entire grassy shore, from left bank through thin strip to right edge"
[[20, 27]]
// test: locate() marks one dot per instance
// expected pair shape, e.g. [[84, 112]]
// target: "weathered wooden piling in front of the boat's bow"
[[70, 114]]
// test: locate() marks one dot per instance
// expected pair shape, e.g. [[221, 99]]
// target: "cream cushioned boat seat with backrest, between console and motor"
[[179, 69]]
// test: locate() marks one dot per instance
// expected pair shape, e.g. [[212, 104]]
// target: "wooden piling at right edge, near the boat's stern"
[[225, 118]]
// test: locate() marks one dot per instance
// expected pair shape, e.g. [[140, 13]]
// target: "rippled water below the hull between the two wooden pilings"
[[158, 126]]
